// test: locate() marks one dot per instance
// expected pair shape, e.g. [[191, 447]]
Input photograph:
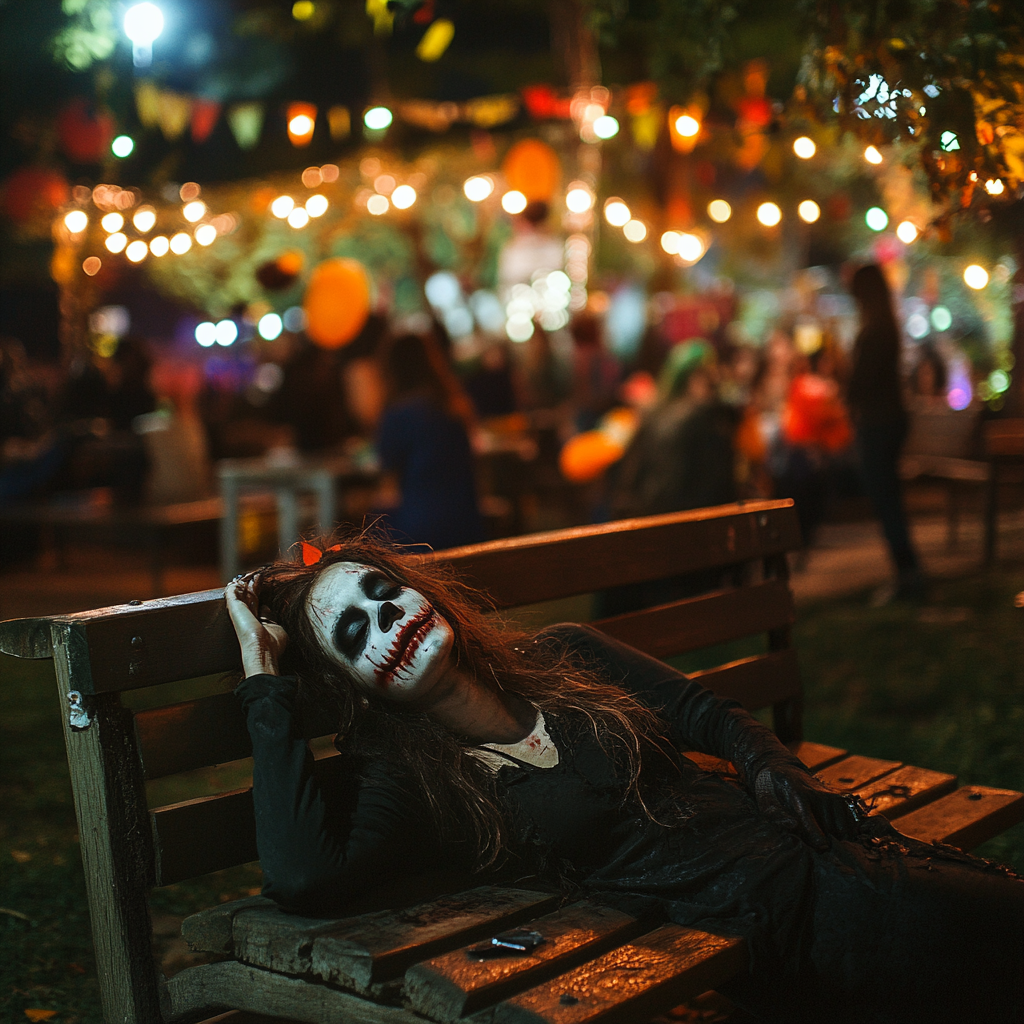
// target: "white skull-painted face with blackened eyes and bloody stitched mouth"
[[388, 635]]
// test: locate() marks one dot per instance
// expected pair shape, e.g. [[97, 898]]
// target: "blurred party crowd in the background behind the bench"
[[477, 440]]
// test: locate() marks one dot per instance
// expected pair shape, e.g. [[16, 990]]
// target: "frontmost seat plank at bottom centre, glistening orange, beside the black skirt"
[[631, 984]]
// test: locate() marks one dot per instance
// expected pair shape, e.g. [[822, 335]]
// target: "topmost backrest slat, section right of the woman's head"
[[562, 564]]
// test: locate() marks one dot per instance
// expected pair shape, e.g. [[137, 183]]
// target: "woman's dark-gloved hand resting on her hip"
[[817, 810]]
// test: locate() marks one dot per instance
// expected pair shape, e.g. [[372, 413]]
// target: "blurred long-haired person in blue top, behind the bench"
[[423, 444]]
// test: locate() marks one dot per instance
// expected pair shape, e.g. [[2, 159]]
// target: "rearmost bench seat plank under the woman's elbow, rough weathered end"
[[362, 952]]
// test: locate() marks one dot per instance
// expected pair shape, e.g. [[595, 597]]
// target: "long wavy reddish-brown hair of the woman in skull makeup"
[[453, 785]]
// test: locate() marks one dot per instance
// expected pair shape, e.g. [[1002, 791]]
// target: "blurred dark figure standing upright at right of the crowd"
[[875, 398]]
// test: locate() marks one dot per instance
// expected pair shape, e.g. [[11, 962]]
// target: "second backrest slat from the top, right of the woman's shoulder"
[[704, 622]]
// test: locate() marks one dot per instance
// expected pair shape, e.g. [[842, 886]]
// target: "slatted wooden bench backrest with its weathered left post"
[[127, 848]]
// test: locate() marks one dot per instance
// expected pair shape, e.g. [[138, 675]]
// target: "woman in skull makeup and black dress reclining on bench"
[[557, 755]]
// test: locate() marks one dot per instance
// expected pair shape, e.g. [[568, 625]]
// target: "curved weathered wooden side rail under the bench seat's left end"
[[241, 987]]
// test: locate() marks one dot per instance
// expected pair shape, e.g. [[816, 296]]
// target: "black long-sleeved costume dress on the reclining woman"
[[882, 928]]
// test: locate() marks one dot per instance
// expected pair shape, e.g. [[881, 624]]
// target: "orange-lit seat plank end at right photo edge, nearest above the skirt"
[[966, 818]]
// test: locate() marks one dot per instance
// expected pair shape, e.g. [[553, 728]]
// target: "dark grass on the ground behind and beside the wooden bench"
[[944, 689]]
